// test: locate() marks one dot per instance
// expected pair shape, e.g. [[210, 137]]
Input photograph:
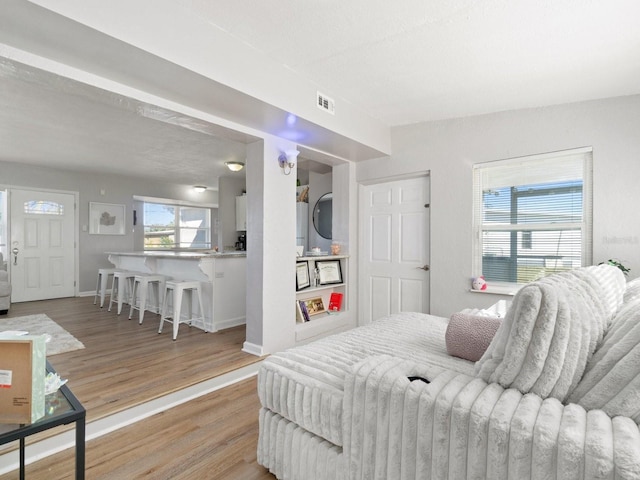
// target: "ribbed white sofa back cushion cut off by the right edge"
[[611, 381]]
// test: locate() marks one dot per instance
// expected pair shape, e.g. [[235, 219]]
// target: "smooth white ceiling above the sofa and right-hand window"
[[415, 60]]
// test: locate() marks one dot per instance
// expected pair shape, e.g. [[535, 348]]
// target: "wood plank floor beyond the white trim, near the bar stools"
[[123, 363]]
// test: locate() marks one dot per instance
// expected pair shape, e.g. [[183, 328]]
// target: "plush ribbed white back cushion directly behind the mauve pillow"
[[551, 331]]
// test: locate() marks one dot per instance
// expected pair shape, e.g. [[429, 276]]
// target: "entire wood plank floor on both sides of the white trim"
[[125, 364]]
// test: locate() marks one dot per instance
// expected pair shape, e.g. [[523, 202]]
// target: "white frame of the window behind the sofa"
[[587, 209]]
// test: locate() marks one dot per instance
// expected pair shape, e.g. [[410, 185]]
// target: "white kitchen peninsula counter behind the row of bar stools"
[[222, 276]]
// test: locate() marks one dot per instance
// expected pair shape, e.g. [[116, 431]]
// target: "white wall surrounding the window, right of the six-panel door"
[[449, 148]]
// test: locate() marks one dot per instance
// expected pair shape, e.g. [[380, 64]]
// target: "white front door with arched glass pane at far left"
[[42, 247]]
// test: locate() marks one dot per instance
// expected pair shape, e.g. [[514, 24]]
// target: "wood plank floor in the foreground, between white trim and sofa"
[[211, 437]]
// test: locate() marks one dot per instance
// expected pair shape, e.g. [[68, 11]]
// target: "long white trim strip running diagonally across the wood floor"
[[37, 451]]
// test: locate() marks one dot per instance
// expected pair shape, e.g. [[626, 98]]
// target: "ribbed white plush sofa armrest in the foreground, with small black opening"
[[459, 426]]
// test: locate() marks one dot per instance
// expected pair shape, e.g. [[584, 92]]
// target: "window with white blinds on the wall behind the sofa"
[[532, 216]]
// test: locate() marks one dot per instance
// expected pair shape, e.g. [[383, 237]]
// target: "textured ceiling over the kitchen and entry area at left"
[[52, 121]]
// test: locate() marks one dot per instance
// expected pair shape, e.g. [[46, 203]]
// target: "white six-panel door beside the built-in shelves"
[[395, 233]]
